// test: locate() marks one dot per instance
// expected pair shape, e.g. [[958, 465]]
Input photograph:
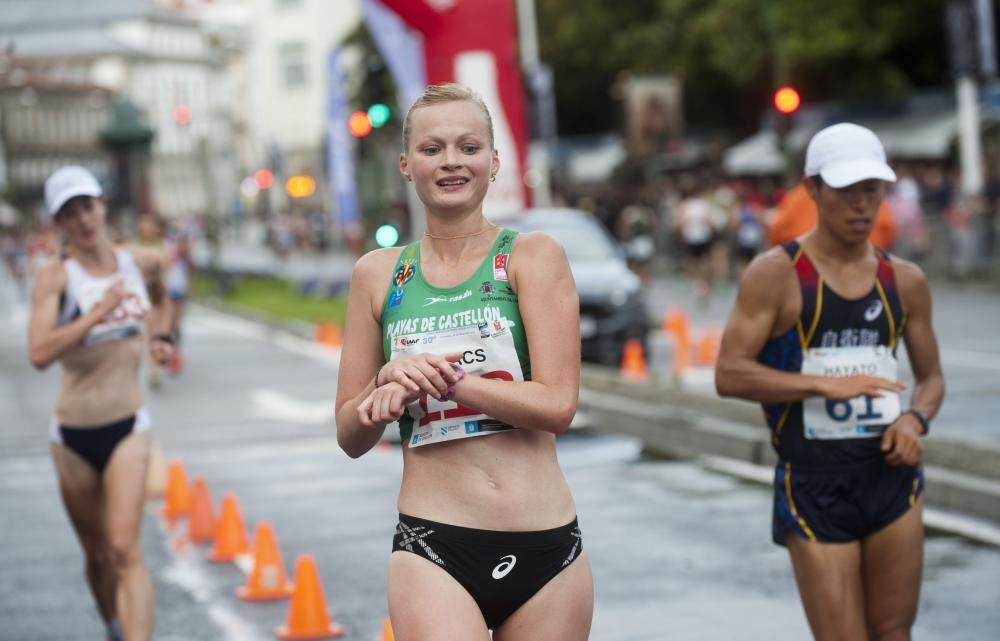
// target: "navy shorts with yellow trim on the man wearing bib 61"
[[842, 504]]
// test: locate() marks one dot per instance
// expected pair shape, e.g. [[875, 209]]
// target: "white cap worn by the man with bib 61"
[[845, 153]]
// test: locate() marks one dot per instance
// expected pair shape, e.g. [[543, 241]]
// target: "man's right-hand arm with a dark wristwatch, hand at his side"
[[901, 441]]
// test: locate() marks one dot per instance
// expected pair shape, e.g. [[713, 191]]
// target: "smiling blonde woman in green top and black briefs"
[[469, 338]]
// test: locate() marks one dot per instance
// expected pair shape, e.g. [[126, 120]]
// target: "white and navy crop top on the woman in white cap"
[[83, 291]]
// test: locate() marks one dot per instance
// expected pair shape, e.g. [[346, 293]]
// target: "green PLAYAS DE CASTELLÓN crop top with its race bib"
[[479, 318]]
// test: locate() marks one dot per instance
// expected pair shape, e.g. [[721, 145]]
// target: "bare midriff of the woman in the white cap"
[[100, 383]]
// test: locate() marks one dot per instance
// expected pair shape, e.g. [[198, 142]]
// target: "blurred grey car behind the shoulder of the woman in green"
[[612, 304]]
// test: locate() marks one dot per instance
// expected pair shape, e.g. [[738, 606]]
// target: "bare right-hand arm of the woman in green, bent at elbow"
[[550, 311]]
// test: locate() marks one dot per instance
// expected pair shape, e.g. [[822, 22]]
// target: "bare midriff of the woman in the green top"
[[505, 482]]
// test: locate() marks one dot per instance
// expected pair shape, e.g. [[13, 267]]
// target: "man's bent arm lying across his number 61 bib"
[[763, 294]]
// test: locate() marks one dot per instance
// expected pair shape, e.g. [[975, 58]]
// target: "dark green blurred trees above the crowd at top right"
[[730, 54]]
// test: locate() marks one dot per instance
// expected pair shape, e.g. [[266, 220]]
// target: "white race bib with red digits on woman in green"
[[488, 352]]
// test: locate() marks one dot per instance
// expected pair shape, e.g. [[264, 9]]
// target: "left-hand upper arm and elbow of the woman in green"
[[361, 355]]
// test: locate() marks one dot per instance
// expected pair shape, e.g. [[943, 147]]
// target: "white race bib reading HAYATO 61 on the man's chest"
[[861, 417]]
